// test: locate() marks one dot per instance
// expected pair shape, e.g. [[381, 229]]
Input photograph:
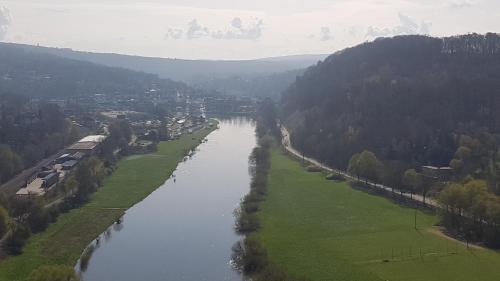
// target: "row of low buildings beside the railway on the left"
[[48, 176]]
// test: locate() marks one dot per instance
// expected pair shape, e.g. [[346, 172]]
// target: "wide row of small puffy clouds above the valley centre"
[[237, 31]]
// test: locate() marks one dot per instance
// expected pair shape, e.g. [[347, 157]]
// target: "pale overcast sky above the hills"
[[231, 29]]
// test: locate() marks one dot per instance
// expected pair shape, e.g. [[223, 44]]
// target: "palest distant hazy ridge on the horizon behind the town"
[[260, 77]]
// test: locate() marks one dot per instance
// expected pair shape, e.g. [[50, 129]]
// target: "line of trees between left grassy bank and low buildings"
[[20, 217]]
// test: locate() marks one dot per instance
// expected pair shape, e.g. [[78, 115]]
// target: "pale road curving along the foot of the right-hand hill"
[[415, 197]]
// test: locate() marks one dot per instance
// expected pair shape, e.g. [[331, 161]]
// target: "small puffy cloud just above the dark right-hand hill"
[[406, 26]]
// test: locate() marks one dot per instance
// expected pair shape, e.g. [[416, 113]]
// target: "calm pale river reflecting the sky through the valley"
[[185, 229]]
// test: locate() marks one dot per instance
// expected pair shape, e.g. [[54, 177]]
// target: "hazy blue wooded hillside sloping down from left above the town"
[[44, 75]]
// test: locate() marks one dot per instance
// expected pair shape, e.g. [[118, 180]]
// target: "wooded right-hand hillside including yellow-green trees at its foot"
[[383, 109]]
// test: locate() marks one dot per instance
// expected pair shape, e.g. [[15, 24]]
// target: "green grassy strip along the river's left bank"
[[136, 177]]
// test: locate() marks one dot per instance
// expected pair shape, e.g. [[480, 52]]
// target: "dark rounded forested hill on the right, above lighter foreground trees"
[[407, 99]]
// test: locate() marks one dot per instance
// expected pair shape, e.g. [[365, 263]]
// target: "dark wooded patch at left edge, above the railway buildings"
[[30, 132]]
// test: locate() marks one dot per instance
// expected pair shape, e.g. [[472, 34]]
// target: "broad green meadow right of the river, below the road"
[[325, 230]]
